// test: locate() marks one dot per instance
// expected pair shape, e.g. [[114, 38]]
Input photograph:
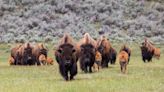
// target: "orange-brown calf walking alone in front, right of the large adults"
[[123, 60]]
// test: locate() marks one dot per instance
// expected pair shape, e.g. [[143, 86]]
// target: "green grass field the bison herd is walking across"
[[141, 77]]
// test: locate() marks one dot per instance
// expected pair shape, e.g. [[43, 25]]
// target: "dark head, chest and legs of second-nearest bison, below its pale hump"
[[87, 57]]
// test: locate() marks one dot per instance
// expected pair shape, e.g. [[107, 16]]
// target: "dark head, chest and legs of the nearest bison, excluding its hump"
[[66, 59]]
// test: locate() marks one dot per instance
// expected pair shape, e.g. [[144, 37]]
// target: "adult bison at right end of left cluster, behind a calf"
[[37, 51]]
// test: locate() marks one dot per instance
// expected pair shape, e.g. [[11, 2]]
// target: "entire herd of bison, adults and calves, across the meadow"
[[92, 55]]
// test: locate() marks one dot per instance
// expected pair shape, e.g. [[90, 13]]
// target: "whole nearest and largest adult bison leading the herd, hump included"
[[66, 56]]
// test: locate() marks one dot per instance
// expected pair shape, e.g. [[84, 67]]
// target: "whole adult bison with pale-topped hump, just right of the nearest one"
[[87, 53]]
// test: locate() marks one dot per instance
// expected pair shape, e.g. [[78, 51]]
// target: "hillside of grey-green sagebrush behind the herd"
[[47, 20]]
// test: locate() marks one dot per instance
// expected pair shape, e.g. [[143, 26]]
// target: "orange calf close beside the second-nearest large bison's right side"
[[97, 63]]
